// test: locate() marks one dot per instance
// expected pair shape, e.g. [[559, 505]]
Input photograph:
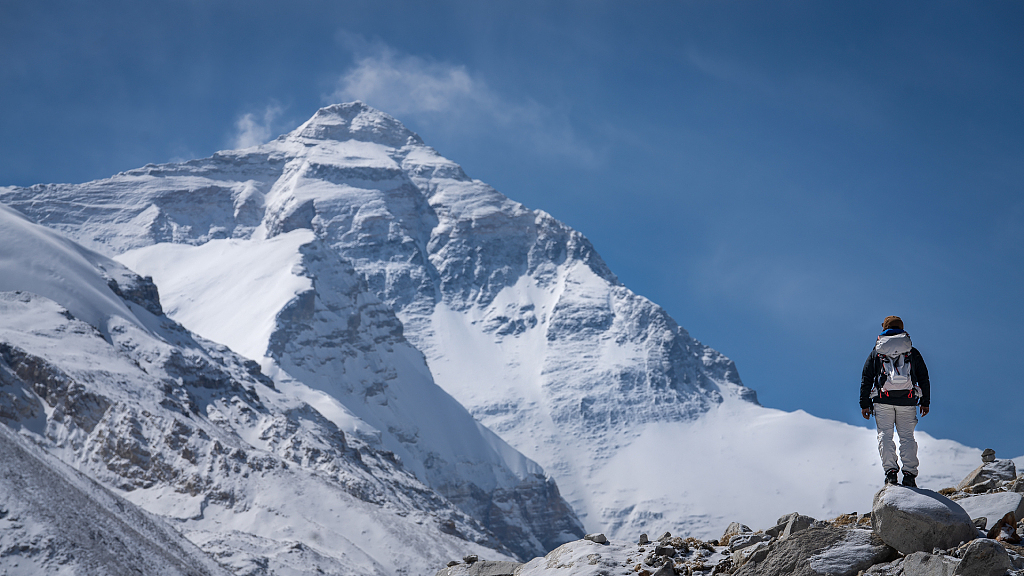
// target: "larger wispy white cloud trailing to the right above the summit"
[[450, 98]]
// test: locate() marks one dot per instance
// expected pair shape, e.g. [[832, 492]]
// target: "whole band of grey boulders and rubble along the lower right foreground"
[[973, 529]]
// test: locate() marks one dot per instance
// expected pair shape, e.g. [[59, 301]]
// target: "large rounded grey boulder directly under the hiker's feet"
[[914, 520]]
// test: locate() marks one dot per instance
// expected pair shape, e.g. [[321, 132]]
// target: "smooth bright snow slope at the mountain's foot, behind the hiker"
[[742, 463]]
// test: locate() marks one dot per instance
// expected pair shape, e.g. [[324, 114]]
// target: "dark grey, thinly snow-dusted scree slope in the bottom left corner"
[[58, 521]]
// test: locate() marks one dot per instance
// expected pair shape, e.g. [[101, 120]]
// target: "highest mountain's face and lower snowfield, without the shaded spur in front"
[[517, 314]]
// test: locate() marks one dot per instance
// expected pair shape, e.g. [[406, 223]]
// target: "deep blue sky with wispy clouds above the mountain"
[[779, 176]]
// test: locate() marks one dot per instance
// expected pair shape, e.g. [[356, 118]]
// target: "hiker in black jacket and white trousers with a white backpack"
[[893, 384]]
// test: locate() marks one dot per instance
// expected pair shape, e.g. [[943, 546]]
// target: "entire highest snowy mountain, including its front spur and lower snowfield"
[[268, 250]]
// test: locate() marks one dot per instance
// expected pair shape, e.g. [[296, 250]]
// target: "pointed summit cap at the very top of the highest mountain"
[[356, 121]]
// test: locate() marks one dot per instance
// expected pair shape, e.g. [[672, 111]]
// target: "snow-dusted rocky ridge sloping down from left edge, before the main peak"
[[187, 430]]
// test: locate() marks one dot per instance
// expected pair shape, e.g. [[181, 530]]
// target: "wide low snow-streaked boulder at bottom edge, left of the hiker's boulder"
[[821, 552]]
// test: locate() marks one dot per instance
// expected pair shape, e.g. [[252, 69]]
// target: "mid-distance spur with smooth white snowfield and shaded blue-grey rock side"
[[329, 342]]
